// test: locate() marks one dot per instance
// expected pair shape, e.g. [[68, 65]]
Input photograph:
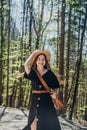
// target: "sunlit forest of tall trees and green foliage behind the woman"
[[59, 26]]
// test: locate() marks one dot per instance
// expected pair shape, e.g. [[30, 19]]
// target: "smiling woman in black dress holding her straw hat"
[[42, 115]]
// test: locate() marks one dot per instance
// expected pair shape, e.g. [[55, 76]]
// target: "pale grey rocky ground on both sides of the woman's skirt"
[[16, 119]]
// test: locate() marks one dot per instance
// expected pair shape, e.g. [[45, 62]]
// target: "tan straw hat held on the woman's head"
[[33, 56]]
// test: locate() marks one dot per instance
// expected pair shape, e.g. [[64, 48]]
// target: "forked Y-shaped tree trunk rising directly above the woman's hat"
[[39, 29]]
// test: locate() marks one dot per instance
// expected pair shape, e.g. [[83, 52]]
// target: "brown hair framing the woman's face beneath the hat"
[[47, 66]]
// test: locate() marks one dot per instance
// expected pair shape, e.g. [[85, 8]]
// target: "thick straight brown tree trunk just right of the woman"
[[61, 62]]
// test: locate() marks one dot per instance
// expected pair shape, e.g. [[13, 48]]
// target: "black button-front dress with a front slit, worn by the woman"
[[41, 104]]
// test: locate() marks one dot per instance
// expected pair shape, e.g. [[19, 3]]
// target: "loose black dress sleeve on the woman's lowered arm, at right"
[[54, 81]]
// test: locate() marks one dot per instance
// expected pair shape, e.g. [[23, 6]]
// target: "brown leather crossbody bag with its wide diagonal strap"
[[57, 102]]
